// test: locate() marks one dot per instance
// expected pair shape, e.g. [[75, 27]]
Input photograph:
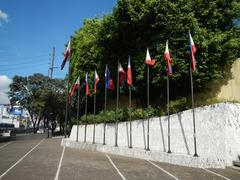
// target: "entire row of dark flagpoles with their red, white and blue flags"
[[121, 76]]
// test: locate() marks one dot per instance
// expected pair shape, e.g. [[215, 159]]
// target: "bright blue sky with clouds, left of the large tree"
[[29, 29]]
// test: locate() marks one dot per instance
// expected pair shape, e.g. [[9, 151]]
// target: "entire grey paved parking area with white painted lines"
[[36, 158]]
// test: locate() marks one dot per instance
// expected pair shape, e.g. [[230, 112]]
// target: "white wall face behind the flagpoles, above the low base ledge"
[[217, 132]]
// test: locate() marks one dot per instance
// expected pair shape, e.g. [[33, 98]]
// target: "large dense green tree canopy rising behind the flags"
[[135, 25]]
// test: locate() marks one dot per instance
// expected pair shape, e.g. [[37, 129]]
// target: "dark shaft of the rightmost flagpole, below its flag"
[[193, 111]]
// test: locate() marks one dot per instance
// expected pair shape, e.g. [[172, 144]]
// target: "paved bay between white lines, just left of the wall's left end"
[[40, 164]]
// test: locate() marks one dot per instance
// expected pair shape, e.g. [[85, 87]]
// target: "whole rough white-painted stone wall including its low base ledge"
[[217, 133]]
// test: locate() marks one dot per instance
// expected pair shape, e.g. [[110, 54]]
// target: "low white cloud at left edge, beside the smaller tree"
[[4, 88]]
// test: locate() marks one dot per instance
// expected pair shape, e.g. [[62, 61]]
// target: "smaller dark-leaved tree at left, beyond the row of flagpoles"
[[44, 98]]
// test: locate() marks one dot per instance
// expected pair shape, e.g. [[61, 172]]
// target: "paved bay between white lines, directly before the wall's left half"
[[79, 164]]
